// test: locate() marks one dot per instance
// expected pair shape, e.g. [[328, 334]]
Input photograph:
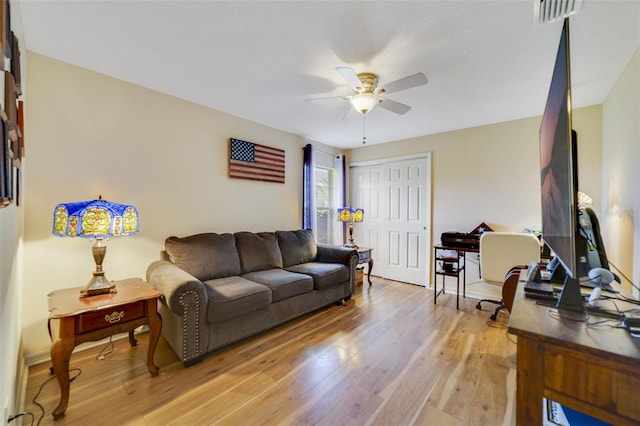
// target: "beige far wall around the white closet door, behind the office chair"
[[491, 173]]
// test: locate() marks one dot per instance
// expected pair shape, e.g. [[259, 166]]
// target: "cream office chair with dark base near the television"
[[502, 254]]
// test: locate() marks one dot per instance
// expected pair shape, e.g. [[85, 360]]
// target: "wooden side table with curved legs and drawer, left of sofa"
[[73, 321]]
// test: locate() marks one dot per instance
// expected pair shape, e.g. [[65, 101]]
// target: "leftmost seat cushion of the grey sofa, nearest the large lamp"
[[231, 297]]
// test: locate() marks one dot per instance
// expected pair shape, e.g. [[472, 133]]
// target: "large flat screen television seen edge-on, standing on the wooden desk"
[[559, 176]]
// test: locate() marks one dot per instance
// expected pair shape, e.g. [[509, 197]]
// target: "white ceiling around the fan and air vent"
[[486, 61]]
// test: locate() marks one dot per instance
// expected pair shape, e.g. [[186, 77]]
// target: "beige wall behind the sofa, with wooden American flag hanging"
[[90, 135]]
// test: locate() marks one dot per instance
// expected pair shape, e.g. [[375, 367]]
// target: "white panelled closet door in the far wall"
[[395, 195]]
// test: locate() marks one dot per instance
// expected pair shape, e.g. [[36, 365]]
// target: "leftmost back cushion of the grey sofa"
[[205, 256]]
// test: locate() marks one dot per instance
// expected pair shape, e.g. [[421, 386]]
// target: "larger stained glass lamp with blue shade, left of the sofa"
[[96, 219]]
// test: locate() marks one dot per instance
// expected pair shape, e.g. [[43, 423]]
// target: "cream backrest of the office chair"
[[500, 251]]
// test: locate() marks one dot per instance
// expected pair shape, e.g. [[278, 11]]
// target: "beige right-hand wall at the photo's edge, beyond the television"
[[621, 174]]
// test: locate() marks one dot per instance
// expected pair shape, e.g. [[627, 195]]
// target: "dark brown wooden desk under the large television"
[[592, 370]]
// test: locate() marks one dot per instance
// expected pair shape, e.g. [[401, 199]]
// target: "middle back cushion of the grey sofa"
[[258, 251]]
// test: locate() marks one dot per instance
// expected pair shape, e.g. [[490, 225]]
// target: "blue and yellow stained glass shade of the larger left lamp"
[[94, 219]]
